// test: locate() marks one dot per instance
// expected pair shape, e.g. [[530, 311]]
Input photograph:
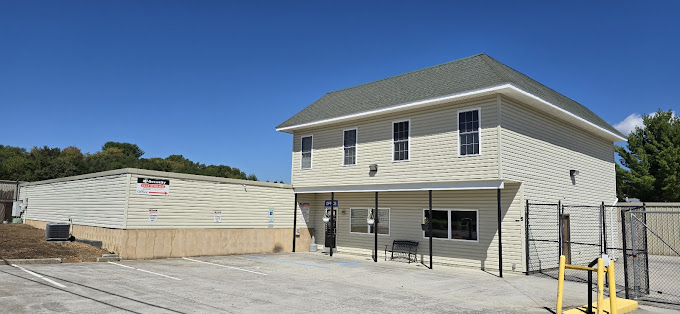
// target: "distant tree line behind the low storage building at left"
[[43, 163]]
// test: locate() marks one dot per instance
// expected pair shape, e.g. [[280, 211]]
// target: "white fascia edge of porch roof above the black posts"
[[404, 187]]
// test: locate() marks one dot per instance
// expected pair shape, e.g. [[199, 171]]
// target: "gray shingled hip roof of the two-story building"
[[472, 73]]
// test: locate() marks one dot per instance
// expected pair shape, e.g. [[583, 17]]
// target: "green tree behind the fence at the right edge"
[[651, 160]]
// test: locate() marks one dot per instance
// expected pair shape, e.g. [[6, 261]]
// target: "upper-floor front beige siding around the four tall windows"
[[433, 151]]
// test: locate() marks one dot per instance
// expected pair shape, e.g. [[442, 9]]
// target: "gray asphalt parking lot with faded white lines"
[[284, 283]]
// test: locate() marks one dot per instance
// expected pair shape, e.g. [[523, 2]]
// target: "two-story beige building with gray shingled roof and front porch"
[[473, 139]]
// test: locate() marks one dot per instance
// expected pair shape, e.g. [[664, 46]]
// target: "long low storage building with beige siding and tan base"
[[149, 214]]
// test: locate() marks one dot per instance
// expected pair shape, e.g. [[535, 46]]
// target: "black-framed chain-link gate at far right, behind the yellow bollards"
[[652, 240]]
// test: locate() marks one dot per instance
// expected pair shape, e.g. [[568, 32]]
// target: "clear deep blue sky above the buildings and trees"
[[211, 79]]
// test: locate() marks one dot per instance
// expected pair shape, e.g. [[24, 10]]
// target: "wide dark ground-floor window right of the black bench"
[[453, 224]]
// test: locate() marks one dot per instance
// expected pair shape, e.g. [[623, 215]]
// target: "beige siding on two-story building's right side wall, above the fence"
[[539, 151]]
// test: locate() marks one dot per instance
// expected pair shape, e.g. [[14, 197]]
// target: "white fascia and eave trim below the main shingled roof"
[[506, 89]]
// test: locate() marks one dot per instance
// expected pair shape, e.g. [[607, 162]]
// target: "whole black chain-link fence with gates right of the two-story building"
[[650, 268]]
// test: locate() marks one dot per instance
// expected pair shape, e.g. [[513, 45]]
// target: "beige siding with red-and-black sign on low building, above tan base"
[[192, 203]]
